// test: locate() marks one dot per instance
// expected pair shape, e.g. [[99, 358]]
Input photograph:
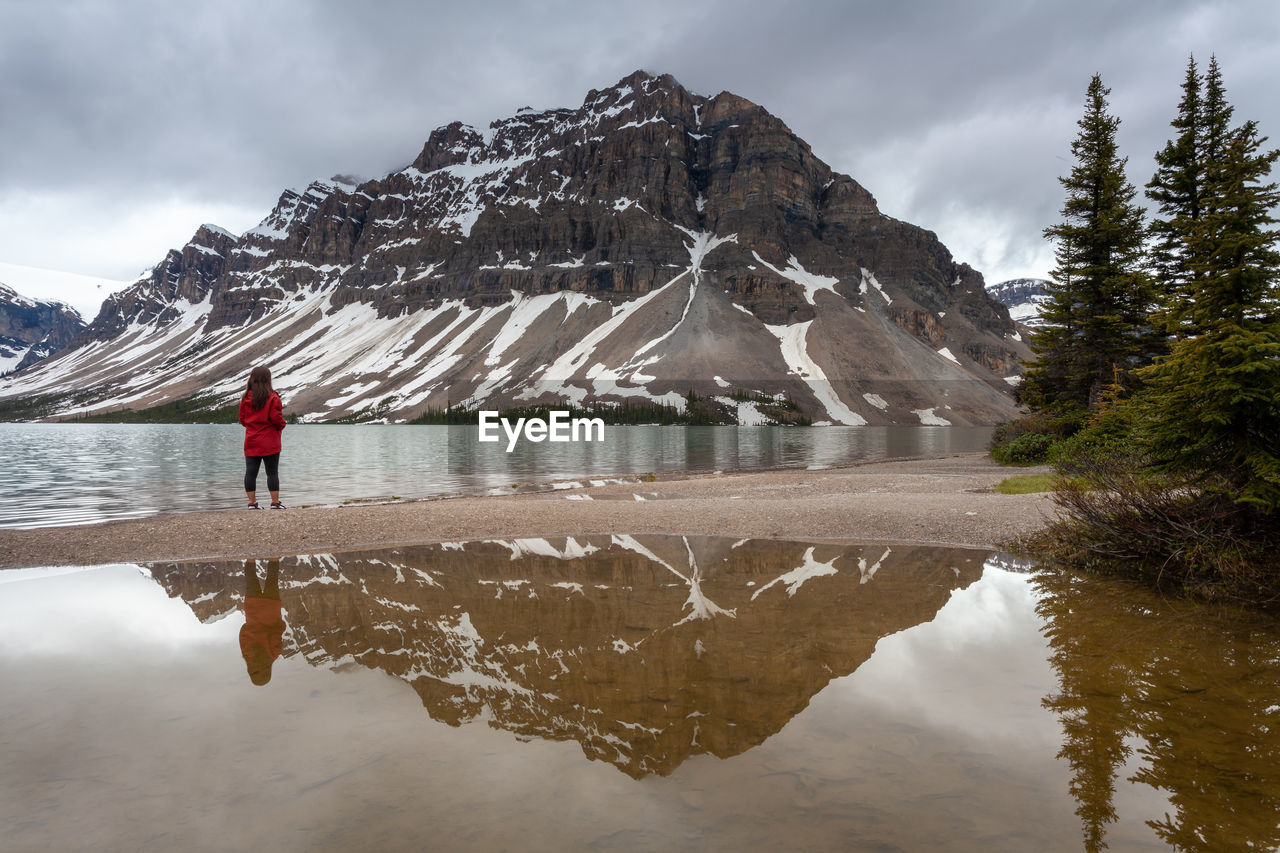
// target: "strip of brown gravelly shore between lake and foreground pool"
[[947, 500]]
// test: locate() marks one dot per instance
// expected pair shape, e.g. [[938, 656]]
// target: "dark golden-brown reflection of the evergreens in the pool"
[[1186, 699]]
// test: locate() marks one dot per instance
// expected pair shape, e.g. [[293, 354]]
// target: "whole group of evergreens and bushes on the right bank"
[[1156, 385]]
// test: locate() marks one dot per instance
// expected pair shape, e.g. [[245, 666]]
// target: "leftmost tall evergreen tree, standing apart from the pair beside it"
[[1098, 314]]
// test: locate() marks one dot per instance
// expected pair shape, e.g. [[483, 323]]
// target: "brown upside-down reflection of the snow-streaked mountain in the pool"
[[644, 650]]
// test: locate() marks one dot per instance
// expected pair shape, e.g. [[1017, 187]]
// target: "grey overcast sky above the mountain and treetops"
[[126, 125]]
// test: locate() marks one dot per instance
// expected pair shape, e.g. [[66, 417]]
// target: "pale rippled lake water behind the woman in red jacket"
[[86, 473]]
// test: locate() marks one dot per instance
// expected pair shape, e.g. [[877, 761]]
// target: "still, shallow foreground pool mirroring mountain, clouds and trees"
[[628, 694]]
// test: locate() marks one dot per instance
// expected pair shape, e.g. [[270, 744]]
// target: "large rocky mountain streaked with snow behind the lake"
[[644, 245]]
